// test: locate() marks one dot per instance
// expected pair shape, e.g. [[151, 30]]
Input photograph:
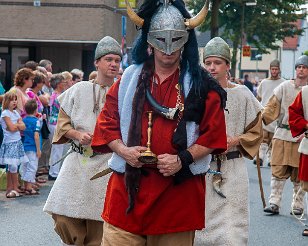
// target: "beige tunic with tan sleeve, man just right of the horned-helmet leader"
[[227, 220]]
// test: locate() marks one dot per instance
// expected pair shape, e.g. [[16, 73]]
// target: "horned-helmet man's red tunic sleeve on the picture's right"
[[213, 127]]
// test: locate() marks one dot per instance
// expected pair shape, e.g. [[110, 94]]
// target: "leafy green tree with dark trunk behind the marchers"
[[264, 24]]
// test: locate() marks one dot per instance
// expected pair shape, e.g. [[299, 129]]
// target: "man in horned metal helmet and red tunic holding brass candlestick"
[[161, 203]]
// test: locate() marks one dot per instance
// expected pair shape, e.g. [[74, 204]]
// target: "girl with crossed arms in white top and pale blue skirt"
[[12, 153]]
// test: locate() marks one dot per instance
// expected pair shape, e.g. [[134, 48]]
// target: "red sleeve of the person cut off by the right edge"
[[297, 121]]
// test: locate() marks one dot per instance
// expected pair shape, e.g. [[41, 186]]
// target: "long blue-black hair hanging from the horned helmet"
[[201, 80]]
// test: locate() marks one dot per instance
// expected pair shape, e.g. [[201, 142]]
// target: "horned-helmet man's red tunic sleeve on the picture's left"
[[107, 126]]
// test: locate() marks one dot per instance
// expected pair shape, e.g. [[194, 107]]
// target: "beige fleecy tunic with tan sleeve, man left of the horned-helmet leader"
[[73, 194]]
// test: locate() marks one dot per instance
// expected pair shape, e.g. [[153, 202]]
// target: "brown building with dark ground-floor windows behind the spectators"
[[65, 32]]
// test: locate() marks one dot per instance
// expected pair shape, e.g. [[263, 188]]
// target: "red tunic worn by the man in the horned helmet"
[[161, 207]]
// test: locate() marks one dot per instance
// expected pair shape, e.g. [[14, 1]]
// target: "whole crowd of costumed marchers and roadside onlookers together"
[[153, 134]]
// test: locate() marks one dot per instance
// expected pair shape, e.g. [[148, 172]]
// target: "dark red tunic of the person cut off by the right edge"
[[297, 125]]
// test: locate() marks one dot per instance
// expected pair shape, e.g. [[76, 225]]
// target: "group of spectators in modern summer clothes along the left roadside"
[[28, 119]]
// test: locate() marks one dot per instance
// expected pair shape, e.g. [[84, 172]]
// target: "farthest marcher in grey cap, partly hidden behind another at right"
[[264, 93]]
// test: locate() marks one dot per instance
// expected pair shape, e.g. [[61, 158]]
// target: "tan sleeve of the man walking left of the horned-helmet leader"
[[63, 126]]
